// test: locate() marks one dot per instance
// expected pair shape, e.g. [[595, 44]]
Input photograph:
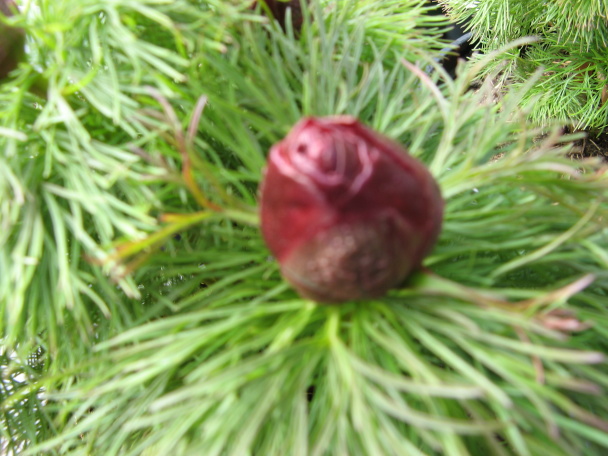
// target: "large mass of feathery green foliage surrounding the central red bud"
[[142, 315]]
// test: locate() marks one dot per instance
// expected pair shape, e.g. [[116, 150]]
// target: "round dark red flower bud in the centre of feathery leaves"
[[347, 212]]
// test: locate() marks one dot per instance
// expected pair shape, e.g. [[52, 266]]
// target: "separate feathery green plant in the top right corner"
[[570, 52]]
